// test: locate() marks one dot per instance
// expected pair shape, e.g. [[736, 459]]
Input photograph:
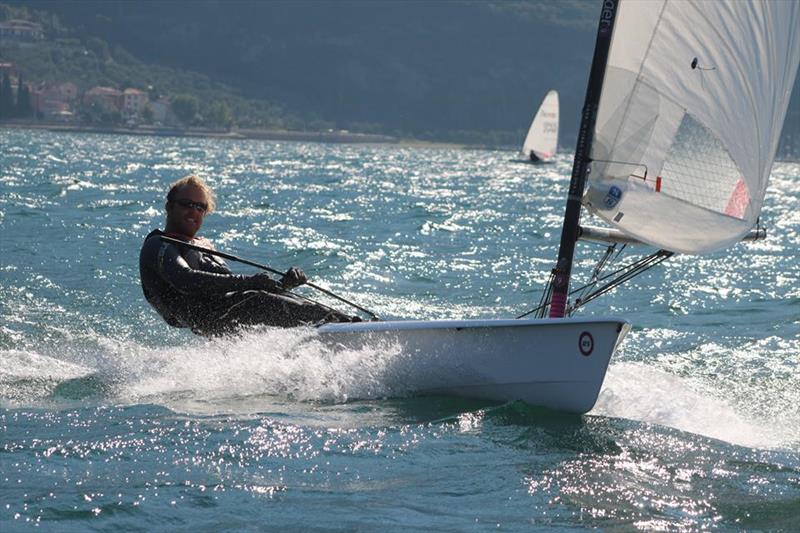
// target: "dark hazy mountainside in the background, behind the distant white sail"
[[459, 71]]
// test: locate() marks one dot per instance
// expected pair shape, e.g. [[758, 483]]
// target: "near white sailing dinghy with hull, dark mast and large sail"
[[684, 108]]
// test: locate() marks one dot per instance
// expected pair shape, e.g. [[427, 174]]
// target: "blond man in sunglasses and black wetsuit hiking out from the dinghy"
[[197, 290]]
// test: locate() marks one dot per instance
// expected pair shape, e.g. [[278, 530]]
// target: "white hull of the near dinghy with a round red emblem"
[[559, 364]]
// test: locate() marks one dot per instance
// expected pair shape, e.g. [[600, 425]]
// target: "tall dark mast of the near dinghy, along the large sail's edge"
[[580, 165]]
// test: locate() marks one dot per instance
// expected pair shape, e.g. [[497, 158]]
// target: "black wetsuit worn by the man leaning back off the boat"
[[192, 289]]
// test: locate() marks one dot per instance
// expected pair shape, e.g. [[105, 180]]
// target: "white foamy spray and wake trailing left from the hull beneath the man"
[[255, 371]]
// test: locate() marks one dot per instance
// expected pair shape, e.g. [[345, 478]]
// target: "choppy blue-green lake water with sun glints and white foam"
[[111, 420]]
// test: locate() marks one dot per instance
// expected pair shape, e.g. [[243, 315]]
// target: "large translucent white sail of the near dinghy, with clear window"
[[693, 102]]
